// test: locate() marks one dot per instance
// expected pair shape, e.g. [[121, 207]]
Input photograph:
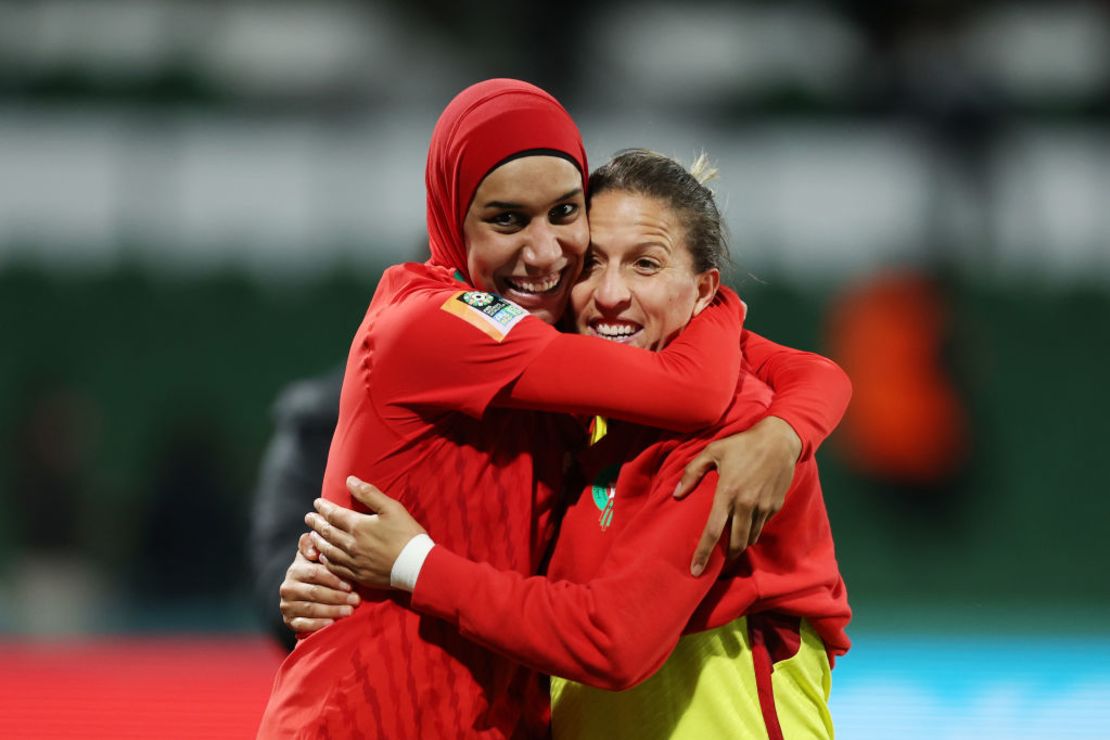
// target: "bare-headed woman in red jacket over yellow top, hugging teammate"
[[649, 651]]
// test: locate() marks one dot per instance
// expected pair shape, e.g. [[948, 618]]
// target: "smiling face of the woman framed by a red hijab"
[[527, 234]]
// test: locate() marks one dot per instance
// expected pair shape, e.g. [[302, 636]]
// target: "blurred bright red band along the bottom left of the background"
[[165, 688]]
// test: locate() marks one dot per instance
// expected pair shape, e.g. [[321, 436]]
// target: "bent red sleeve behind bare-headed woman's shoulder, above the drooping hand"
[[812, 392]]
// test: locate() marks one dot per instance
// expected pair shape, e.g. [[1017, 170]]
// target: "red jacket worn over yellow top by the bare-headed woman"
[[619, 593]]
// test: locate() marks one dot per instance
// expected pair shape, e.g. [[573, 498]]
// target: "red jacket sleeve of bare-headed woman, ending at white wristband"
[[610, 633]]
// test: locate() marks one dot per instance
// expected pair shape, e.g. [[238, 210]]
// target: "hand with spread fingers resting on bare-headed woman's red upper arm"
[[755, 470]]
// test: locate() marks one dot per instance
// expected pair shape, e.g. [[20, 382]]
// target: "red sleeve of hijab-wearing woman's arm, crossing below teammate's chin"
[[687, 387]]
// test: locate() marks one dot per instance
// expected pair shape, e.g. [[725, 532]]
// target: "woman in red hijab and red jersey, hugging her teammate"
[[427, 413]]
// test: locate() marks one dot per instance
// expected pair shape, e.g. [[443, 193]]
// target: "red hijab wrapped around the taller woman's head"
[[486, 126]]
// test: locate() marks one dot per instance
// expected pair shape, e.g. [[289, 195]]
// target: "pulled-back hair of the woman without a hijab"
[[644, 173]]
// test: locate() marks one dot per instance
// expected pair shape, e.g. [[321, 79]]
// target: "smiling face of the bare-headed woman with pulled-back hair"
[[639, 286]]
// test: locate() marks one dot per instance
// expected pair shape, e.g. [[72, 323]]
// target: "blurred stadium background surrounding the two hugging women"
[[197, 198]]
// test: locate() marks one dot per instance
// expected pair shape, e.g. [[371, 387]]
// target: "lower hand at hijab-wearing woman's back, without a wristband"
[[312, 597]]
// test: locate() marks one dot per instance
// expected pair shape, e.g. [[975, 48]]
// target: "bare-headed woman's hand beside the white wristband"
[[362, 549]]
